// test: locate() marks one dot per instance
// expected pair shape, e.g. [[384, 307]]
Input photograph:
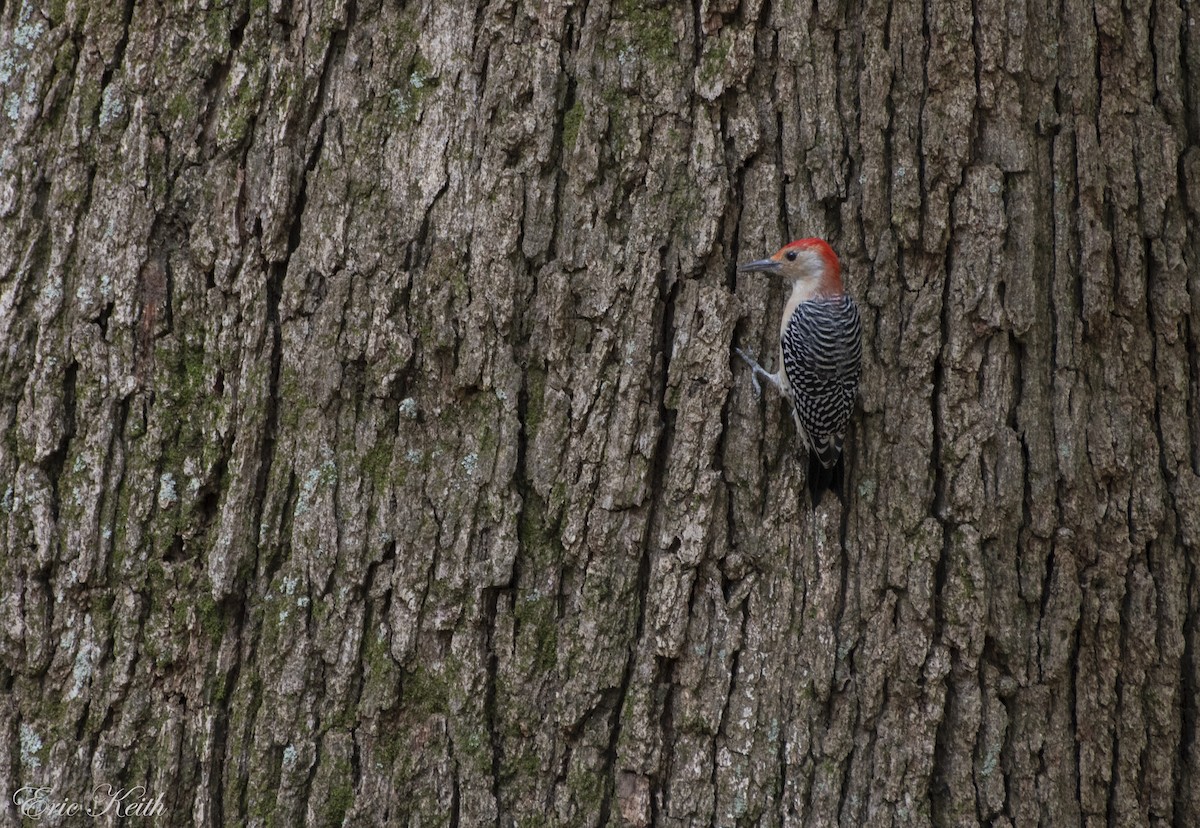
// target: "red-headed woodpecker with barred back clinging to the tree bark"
[[820, 356]]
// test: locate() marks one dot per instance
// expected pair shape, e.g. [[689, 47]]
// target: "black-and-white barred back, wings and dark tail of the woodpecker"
[[823, 352]]
